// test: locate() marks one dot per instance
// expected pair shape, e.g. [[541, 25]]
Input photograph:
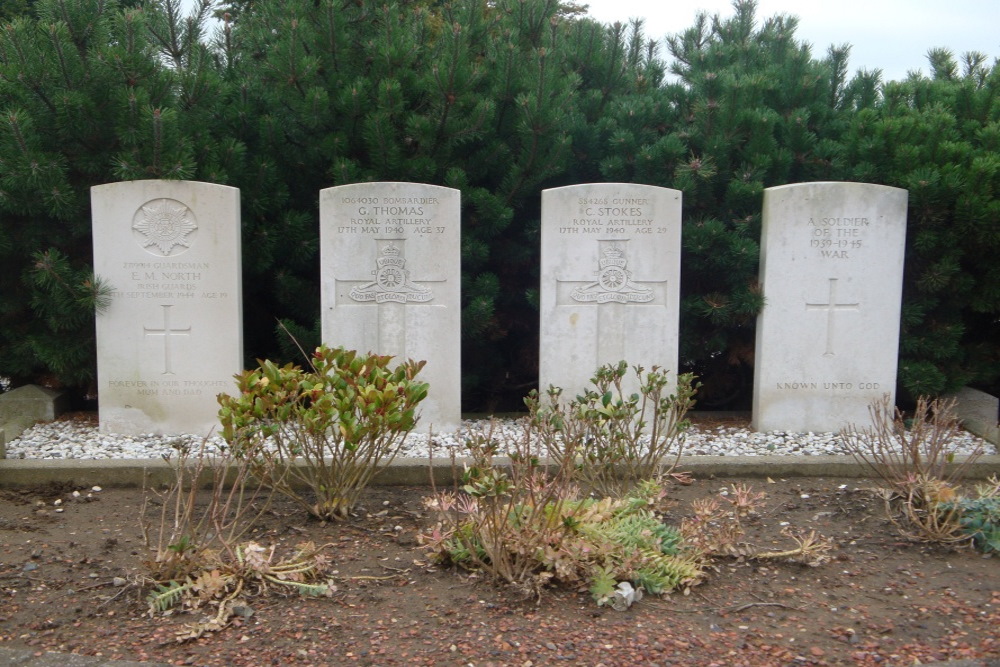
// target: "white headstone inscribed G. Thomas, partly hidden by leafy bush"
[[390, 282]]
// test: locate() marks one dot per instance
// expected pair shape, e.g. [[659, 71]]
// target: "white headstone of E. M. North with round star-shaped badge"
[[172, 338]]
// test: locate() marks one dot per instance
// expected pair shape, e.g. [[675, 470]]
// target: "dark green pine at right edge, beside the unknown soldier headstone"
[[939, 138]]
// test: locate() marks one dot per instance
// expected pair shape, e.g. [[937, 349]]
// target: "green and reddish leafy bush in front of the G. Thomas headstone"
[[329, 429]]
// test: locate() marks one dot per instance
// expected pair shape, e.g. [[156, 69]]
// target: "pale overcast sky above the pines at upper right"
[[891, 35]]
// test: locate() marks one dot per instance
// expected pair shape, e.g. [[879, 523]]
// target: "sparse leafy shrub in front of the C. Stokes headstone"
[[618, 439]]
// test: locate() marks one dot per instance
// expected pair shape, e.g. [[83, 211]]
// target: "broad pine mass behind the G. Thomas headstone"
[[472, 96]]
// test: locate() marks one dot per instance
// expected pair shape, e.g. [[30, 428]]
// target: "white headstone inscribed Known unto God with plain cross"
[[831, 269]]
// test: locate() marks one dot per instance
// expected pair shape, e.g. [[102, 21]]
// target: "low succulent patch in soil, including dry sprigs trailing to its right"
[[532, 534]]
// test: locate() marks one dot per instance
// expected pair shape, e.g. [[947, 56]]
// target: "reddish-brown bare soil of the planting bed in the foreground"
[[881, 601]]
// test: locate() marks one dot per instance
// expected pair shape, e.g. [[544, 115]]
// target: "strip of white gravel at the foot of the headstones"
[[77, 440]]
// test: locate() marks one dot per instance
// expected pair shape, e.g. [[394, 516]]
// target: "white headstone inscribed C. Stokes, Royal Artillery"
[[610, 279]]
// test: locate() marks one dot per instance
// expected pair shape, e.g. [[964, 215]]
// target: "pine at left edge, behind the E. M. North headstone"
[[85, 101]]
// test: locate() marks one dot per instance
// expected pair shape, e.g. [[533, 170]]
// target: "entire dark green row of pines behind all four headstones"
[[500, 100]]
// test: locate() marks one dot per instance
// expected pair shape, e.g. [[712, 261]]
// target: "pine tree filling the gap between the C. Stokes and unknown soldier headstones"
[[750, 108]]
